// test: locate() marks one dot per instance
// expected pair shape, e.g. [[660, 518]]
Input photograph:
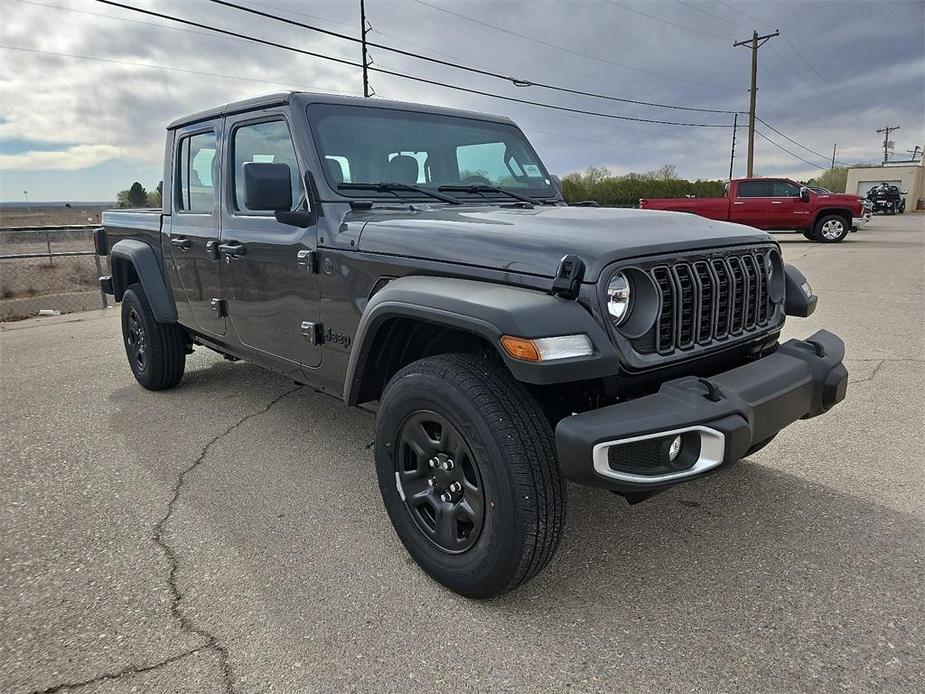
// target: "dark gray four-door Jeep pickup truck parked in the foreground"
[[422, 262]]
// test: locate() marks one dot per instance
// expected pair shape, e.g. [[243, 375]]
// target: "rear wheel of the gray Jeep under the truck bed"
[[164, 357]]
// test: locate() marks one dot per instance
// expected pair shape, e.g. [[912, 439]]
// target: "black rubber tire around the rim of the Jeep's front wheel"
[[513, 446]]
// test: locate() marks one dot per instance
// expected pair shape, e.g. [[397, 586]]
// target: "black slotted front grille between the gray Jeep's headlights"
[[708, 300]]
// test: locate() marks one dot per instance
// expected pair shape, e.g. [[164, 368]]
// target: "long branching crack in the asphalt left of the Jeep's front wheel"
[[211, 641]]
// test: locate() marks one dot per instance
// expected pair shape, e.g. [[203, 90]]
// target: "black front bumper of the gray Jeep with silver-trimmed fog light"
[[720, 418]]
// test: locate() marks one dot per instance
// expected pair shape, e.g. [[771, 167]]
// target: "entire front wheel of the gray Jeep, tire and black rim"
[[467, 469]]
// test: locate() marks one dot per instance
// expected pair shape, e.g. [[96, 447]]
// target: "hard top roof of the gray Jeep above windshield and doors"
[[303, 99]]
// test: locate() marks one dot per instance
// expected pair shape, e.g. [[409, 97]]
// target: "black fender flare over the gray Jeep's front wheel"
[[488, 311]]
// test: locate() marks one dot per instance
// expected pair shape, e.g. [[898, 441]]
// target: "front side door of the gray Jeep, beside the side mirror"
[[269, 287]]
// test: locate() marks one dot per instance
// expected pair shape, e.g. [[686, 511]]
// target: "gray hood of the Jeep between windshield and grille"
[[533, 241]]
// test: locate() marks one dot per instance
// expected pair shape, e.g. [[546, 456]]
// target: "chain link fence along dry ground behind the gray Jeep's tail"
[[49, 269]]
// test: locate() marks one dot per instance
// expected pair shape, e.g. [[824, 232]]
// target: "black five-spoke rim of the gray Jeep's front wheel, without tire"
[[439, 481]]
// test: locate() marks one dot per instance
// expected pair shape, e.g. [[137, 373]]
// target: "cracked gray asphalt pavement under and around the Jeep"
[[228, 535]]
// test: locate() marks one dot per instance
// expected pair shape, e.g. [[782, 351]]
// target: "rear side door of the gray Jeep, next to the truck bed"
[[194, 228]]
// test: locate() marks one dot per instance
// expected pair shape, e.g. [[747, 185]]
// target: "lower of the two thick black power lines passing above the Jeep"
[[351, 63]]
